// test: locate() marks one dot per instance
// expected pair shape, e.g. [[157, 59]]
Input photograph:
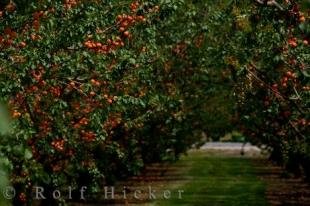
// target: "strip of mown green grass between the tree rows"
[[217, 180]]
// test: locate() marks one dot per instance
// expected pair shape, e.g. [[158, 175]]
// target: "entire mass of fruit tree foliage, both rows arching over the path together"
[[98, 89]]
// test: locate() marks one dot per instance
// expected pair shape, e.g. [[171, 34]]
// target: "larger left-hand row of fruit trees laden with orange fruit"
[[98, 89]]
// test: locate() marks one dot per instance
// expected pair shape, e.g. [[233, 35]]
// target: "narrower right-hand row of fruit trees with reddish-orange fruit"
[[273, 84]]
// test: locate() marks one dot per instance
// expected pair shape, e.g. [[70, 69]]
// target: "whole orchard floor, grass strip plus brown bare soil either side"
[[216, 174]]
